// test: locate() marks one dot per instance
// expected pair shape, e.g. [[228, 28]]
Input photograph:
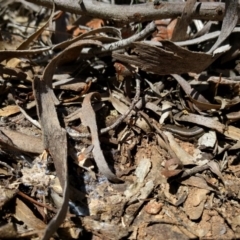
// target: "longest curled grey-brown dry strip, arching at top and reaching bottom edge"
[[55, 139]]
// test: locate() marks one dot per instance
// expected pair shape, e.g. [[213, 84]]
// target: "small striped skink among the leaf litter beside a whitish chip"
[[184, 133]]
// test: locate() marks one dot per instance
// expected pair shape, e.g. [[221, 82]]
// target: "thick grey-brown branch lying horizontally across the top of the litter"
[[137, 12]]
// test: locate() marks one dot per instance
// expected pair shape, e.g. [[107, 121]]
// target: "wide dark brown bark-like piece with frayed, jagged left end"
[[167, 59]]
